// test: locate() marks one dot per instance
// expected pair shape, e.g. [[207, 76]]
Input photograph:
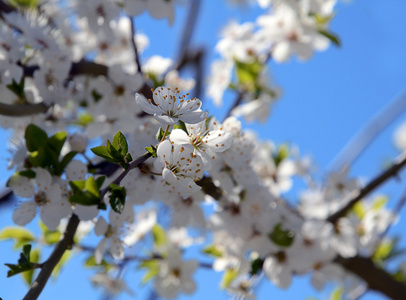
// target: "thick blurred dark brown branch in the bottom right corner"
[[377, 279]]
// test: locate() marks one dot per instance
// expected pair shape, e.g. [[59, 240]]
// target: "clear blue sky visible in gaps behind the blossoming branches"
[[325, 102]]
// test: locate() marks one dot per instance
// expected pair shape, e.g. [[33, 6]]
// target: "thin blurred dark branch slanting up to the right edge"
[[376, 182]]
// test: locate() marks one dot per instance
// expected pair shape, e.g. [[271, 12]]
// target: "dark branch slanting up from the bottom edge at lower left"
[[49, 265]]
